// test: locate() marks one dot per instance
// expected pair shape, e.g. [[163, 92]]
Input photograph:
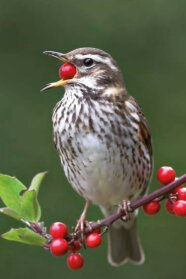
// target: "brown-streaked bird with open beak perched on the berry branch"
[[104, 144]]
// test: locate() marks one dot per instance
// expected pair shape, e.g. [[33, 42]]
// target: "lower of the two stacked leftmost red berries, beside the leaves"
[[59, 247]]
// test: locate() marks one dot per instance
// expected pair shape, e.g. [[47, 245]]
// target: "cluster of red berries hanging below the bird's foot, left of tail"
[[62, 243]]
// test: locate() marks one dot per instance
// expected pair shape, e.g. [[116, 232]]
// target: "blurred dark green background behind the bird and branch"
[[148, 39]]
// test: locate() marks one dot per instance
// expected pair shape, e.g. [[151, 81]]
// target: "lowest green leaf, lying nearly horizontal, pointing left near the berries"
[[24, 235]]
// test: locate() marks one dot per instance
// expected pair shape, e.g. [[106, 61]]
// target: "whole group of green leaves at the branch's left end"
[[21, 203]]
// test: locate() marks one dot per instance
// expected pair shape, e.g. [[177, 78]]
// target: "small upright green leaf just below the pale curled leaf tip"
[[30, 208]]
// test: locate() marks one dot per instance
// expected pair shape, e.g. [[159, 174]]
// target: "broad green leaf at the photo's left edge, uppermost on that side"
[[10, 189]]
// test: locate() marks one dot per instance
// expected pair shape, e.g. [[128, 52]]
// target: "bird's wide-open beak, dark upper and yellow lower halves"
[[63, 58]]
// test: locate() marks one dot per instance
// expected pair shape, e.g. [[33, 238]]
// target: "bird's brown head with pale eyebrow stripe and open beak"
[[94, 69]]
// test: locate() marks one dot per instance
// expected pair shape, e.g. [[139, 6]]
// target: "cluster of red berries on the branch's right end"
[[175, 201]]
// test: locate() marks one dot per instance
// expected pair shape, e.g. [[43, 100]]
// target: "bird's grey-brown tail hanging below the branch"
[[124, 243]]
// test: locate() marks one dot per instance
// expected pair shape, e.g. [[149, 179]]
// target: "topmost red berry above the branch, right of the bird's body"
[[166, 175]]
